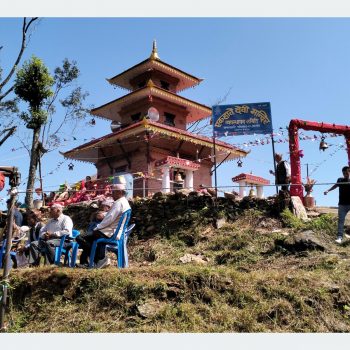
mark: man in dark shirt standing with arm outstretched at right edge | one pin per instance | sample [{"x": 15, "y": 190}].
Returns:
[{"x": 344, "y": 200}]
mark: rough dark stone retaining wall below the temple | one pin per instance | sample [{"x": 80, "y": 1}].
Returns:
[{"x": 165, "y": 213}]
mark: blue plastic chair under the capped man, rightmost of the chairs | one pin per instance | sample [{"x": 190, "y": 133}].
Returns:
[{"x": 116, "y": 240}]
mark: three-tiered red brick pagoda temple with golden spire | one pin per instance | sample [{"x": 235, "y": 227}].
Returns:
[{"x": 149, "y": 139}]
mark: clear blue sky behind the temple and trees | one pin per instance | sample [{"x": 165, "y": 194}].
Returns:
[{"x": 299, "y": 65}]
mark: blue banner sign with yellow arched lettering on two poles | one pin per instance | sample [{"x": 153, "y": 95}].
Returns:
[{"x": 242, "y": 119}]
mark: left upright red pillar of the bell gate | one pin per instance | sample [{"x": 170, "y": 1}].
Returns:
[{"x": 296, "y": 188}]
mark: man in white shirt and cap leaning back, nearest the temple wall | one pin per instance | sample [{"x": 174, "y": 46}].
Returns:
[{"x": 105, "y": 229}]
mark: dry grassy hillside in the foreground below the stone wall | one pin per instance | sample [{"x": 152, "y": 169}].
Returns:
[{"x": 255, "y": 274}]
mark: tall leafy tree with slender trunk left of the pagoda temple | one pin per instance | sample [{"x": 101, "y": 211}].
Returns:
[{"x": 42, "y": 92}]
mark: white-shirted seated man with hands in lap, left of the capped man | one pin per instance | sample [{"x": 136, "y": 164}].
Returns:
[{"x": 50, "y": 235}]
